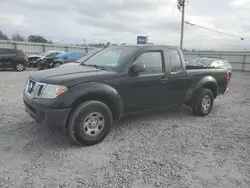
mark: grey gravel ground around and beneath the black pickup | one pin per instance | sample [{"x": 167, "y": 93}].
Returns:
[{"x": 169, "y": 148}]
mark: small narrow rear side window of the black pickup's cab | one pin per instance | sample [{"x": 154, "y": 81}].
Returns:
[{"x": 174, "y": 60}]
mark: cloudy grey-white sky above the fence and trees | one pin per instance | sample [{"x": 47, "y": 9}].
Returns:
[{"x": 120, "y": 21}]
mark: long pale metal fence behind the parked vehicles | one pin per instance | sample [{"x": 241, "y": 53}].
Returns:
[{"x": 240, "y": 60}]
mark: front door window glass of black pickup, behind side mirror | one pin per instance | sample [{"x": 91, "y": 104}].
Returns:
[{"x": 152, "y": 61}]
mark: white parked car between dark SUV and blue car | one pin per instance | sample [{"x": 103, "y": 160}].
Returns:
[{"x": 35, "y": 59}]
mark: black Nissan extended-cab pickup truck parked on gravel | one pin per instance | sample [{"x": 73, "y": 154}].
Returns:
[{"x": 84, "y": 99}]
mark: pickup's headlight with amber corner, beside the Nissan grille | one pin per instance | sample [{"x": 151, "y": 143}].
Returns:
[{"x": 52, "y": 91}]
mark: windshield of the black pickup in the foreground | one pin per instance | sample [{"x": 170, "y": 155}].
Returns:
[{"x": 111, "y": 57}]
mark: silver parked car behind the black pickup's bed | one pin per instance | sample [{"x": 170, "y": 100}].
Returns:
[{"x": 210, "y": 62}]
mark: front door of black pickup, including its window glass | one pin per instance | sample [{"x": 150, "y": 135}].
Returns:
[{"x": 147, "y": 89}]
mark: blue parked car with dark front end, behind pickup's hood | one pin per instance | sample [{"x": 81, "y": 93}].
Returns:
[{"x": 64, "y": 58}]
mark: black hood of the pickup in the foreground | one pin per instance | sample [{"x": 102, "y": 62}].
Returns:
[{"x": 71, "y": 75}]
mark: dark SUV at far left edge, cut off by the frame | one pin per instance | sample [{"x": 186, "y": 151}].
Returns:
[{"x": 13, "y": 59}]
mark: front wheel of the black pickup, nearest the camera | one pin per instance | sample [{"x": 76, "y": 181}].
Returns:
[{"x": 83, "y": 129}]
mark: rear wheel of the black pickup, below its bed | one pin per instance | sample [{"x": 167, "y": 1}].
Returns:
[{"x": 203, "y": 102}]
